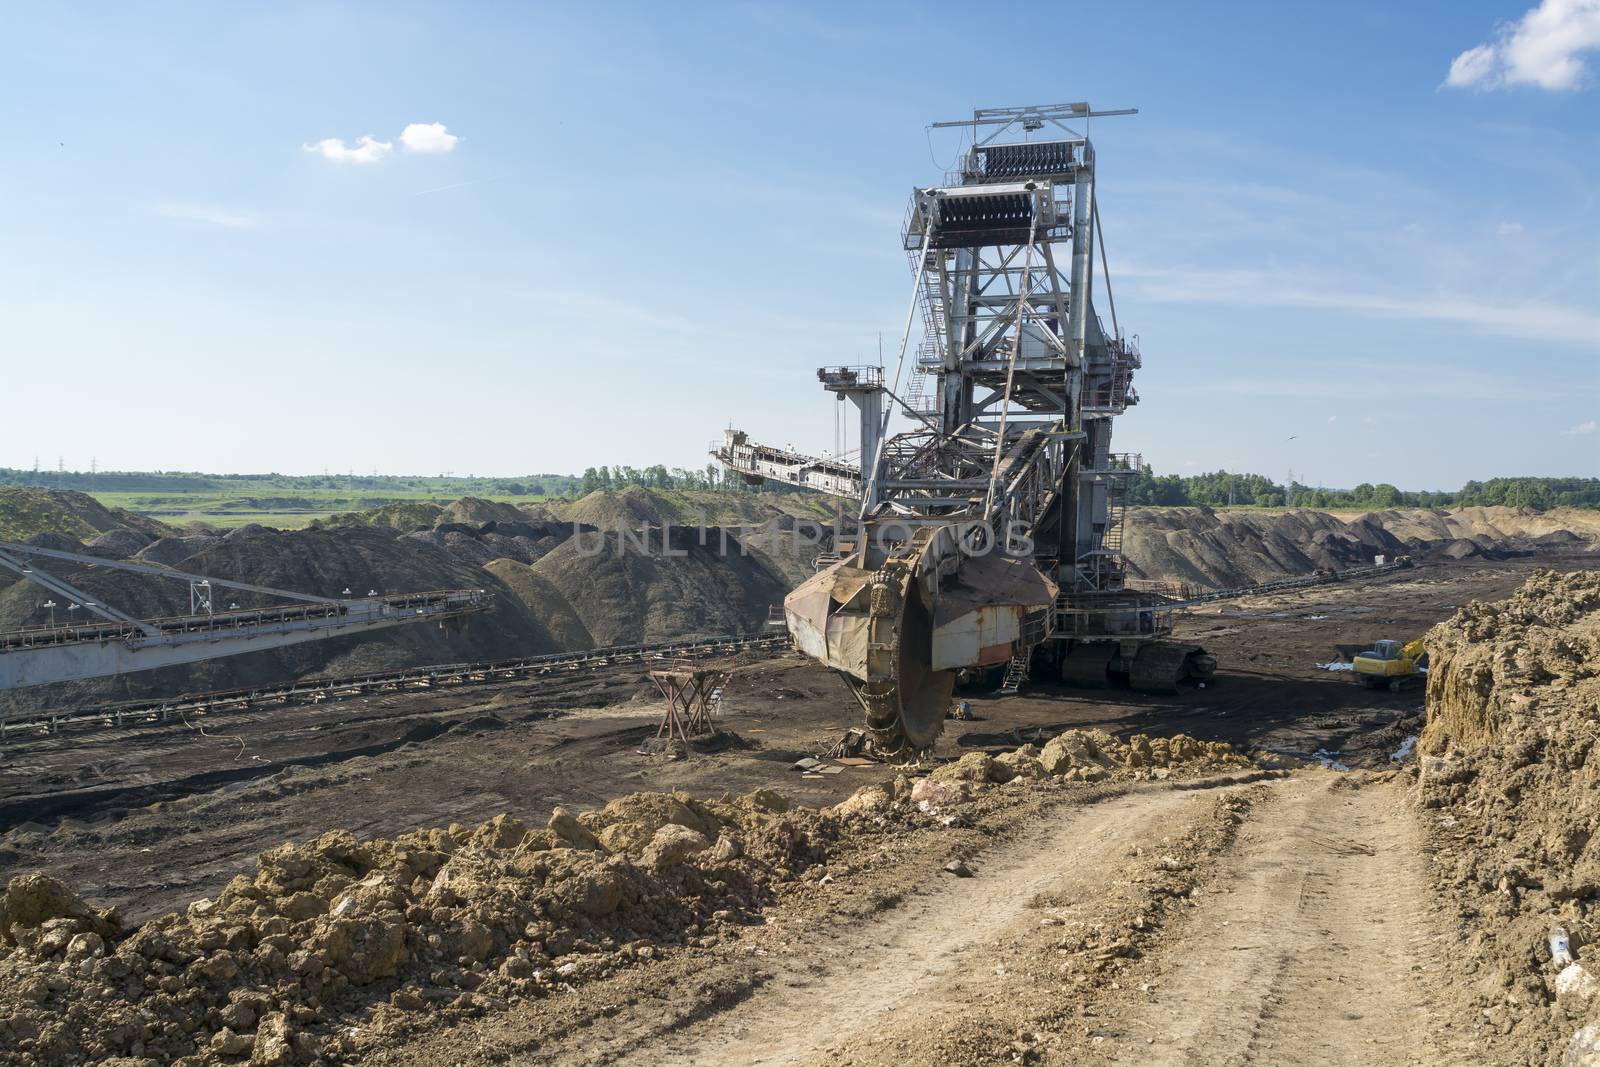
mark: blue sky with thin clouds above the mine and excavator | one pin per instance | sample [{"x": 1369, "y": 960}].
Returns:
[{"x": 663, "y": 218}]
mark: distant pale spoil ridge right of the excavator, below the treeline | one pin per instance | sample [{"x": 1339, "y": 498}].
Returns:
[{"x": 1230, "y": 549}]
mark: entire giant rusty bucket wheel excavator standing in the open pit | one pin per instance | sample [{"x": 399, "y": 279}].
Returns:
[{"x": 988, "y": 537}]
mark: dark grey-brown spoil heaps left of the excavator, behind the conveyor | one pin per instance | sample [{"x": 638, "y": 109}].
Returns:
[{"x": 559, "y": 585}]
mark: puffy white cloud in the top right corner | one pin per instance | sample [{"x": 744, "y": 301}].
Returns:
[{"x": 1545, "y": 49}]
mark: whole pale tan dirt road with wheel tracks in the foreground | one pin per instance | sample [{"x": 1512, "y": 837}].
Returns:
[{"x": 1305, "y": 937}]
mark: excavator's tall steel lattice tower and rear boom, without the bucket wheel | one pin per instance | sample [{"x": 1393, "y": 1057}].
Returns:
[{"x": 1015, "y": 378}]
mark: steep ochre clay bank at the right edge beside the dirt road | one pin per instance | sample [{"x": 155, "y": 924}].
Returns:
[{"x": 1511, "y": 772}]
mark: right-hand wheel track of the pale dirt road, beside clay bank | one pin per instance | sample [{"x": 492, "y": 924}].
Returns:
[{"x": 1319, "y": 951}]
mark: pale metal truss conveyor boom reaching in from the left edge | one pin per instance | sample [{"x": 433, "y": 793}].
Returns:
[{"x": 124, "y": 644}]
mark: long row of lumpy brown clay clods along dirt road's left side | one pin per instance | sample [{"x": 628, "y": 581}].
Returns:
[{"x": 340, "y": 941}]
